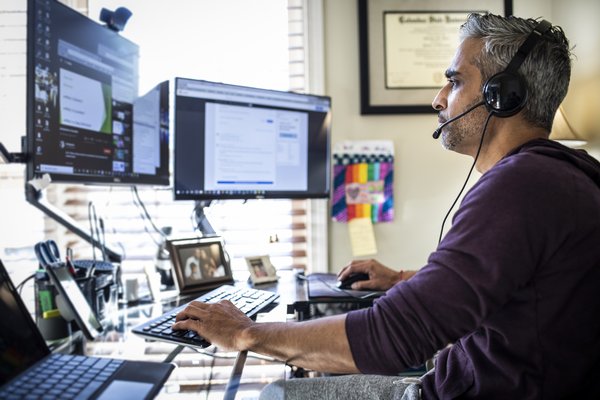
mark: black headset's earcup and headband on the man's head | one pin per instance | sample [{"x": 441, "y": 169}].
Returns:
[{"x": 505, "y": 93}]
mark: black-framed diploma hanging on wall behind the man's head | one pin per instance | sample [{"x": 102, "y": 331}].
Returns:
[{"x": 405, "y": 47}]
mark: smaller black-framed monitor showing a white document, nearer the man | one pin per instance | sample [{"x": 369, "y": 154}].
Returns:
[{"x": 236, "y": 142}]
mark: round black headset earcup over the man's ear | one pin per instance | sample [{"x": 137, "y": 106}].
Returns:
[{"x": 505, "y": 94}]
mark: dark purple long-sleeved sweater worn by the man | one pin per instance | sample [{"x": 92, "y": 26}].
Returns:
[{"x": 514, "y": 285}]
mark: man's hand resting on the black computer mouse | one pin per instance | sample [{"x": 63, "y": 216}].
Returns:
[{"x": 380, "y": 276}]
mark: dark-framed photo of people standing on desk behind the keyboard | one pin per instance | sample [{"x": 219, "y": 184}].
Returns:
[{"x": 199, "y": 264}]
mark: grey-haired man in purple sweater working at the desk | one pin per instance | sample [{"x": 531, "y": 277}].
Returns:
[{"x": 511, "y": 296}]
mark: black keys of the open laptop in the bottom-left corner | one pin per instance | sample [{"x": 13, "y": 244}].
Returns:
[{"x": 61, "y": 376}]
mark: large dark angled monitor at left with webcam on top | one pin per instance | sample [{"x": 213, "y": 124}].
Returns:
[{"x": 85, "y": 121}]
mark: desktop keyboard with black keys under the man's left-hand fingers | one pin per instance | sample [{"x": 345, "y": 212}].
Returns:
[{"x": 249, "y": 301}]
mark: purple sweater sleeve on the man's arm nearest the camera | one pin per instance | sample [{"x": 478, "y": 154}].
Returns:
[{"x": 485, "y": 256}]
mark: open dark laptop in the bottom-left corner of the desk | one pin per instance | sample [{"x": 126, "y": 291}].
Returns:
[{"x": 28, "y": 368}]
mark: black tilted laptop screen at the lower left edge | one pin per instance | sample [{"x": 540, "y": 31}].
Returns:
[{"x": 21, "y": 344}]
